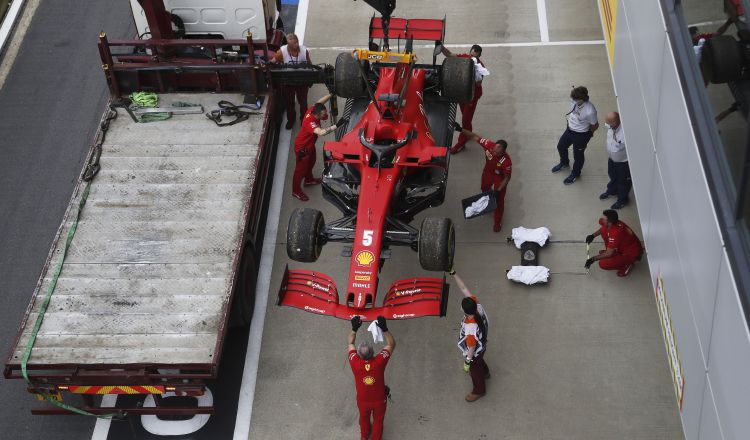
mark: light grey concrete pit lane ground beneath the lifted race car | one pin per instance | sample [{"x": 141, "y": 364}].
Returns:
[{"x": 579, "y": 358}]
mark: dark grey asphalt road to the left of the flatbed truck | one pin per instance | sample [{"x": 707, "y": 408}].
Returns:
[{"x": 51, "y": 104}]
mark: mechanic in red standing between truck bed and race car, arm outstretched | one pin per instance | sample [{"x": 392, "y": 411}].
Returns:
[{"x": 304, "y": 146}]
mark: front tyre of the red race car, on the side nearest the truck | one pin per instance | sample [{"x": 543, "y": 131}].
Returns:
[{"x": 304, "y": 236}]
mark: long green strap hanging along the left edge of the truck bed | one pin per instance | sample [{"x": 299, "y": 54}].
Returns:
[{"x": 45, "y": 305}]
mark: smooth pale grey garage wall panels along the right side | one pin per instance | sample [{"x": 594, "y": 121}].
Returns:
[{"x": 680, "y": 228}]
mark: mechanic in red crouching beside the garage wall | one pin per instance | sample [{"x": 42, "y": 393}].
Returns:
[{"x": 622, "y": 247}]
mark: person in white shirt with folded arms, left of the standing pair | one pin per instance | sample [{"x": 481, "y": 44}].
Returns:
[{"x": 582, "y": 123}]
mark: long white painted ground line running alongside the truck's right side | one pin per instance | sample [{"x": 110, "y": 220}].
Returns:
[{"x": 252, "y": 356}]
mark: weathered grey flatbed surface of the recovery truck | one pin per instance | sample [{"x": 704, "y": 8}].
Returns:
[{"x": 149, "y": 274}]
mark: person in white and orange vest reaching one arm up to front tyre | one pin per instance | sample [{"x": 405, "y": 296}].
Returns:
[{"x": 472, "y": 340}]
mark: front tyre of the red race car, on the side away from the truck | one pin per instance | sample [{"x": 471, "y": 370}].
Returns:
[{"x": 437, "y": 244}]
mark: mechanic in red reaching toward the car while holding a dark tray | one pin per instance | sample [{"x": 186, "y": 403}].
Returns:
[{"x": 497, "y": 170}]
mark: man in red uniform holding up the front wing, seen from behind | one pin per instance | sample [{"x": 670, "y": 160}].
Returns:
[{"x": 369, "y": 378}]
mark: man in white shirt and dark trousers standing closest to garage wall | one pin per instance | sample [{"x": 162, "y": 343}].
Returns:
[{"x": 617, "y": 165}]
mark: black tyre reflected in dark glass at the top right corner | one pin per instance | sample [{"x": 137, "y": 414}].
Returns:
[{"x": 721, "y": 59}]
